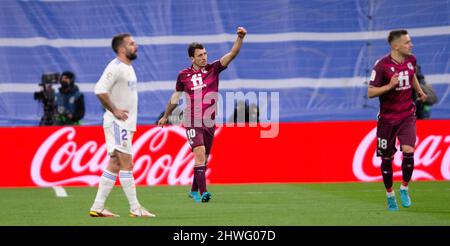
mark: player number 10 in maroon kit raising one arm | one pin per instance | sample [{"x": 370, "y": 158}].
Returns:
[{"x": 200, "y": 84}]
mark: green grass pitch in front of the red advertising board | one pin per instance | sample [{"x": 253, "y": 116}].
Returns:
[{"x": 234, "y": 205}]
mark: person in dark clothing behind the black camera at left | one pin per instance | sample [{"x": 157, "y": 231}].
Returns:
[{"x": 69, "y": 101}]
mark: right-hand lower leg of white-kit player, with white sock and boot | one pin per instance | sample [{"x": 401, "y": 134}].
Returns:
[{"x": 129, "y": 186}]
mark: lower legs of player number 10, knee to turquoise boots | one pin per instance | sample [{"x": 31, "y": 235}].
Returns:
[{"x": 199, "y": 174}]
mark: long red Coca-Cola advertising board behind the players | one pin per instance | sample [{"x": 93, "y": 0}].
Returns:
[{"x": 299, "y": 152}]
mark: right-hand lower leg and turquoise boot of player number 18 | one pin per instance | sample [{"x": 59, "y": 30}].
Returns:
[{"x": 407, "y": 170}]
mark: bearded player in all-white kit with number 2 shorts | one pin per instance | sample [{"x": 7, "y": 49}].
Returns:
[{"x": 117, "y": 92}]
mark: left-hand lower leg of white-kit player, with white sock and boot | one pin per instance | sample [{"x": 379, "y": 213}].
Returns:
[{"x": 106, "y": 184}]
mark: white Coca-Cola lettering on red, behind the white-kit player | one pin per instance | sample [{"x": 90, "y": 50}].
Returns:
[{"x": 62, "y": 160}]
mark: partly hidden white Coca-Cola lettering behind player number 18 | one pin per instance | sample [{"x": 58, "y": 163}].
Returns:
[{"x": 428, "y": 152}]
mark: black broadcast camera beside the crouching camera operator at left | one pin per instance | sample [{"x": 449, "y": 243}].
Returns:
[{"x": 47, "y": 96}]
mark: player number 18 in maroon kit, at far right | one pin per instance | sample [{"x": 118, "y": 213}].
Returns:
[{"x": 392, "y": 80}]
